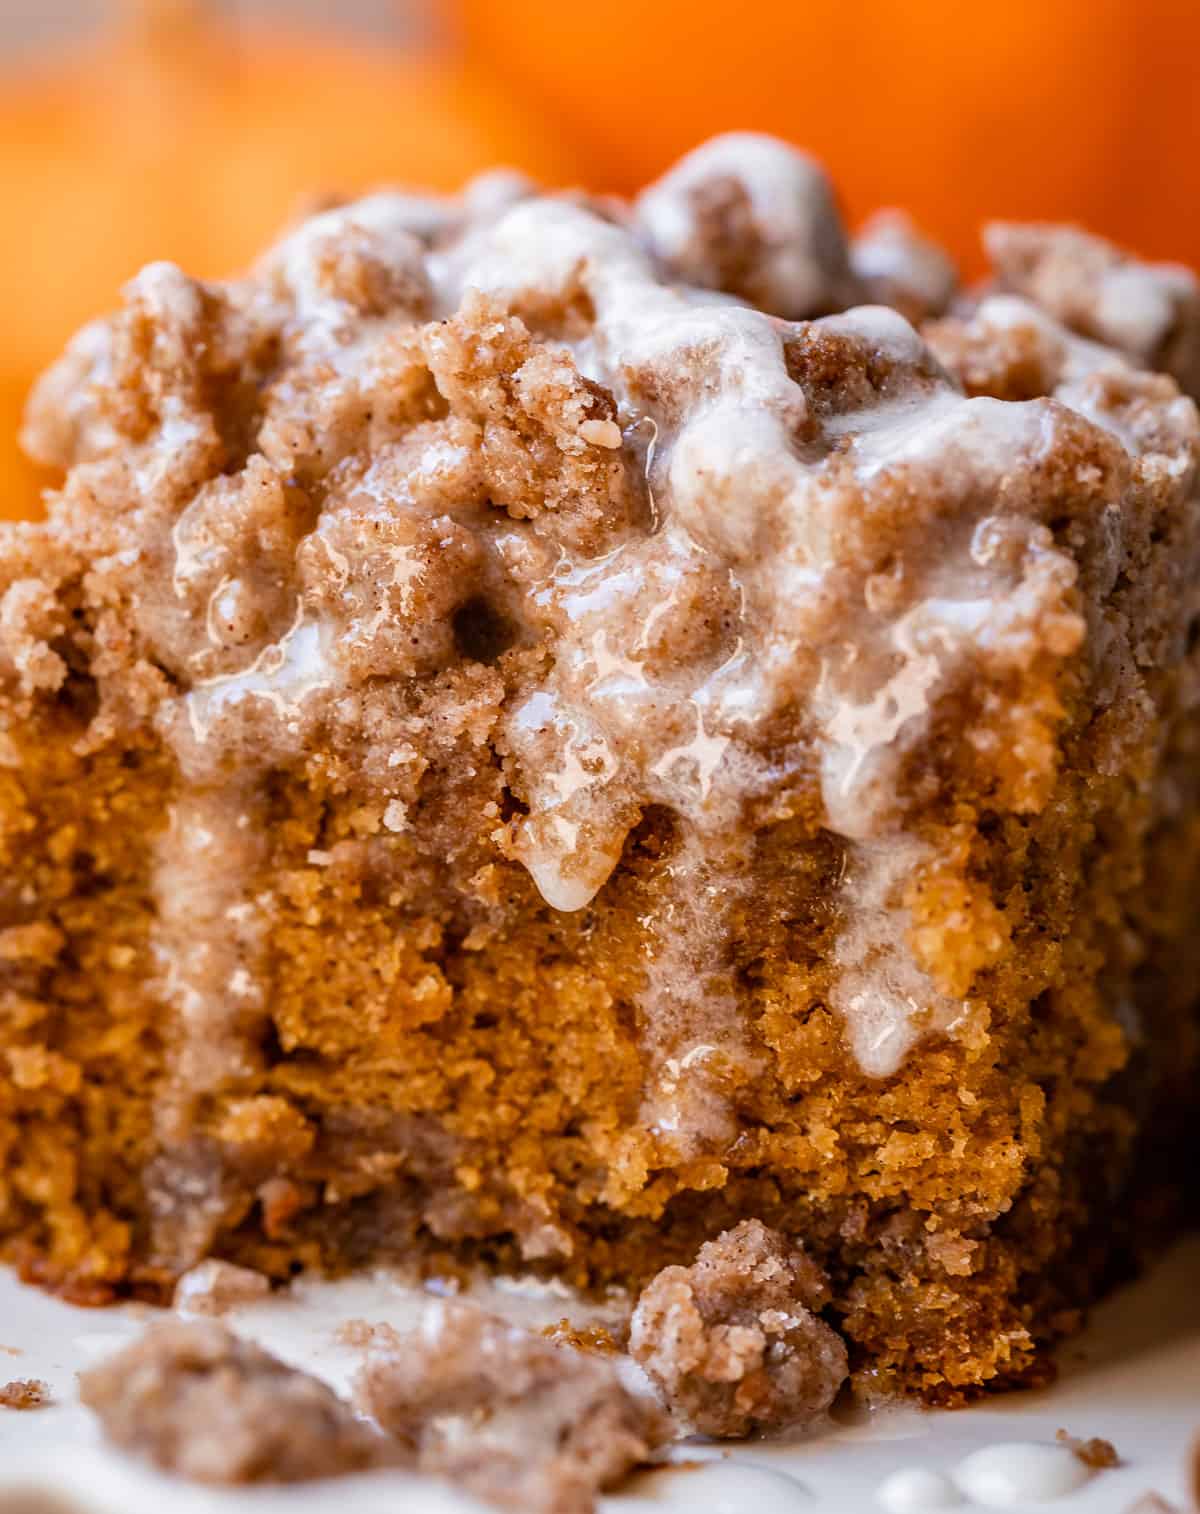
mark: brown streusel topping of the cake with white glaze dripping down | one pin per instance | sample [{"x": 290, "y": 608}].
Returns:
[{"x": 530, "y": 472}]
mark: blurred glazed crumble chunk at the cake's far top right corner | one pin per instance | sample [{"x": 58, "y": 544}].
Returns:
[{"x": 1148, "y": 311}]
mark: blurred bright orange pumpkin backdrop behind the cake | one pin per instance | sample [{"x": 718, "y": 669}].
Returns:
[{"x": 181, "y": 136}]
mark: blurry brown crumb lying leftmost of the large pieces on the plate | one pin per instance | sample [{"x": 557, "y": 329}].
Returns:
[{"x": 197, "y": 1401}]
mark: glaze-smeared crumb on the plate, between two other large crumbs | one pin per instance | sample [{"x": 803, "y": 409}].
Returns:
[{"x": 506, "y": 1415}]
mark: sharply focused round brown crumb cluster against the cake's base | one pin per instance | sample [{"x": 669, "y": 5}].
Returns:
[{"x": 733, "y": 1341}]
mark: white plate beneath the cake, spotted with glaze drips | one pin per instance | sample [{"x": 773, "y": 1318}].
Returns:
[{"x": 1134, "y": 1380}]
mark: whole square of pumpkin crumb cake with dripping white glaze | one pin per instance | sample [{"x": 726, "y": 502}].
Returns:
[{"x": 541, "y": 729}]
